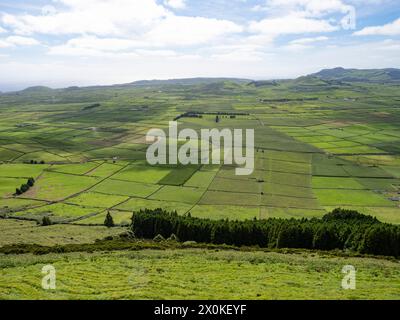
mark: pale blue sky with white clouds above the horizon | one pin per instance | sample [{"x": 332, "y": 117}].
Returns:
[{"x": 61, "y": 43}]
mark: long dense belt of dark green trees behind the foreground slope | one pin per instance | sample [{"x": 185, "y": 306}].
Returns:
[{"x": 341, "y": 229}]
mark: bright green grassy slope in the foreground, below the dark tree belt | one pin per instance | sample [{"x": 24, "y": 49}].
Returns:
[{"x": 197, "y": 274}]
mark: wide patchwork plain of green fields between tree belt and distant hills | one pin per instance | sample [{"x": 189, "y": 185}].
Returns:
[{"x": 317, "y": 147}]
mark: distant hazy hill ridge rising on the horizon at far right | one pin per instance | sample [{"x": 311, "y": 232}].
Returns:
[{"x": 359, "y": 75}]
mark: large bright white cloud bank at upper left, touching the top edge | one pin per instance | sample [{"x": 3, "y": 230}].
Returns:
[{"x": 112, "y": 25}]
